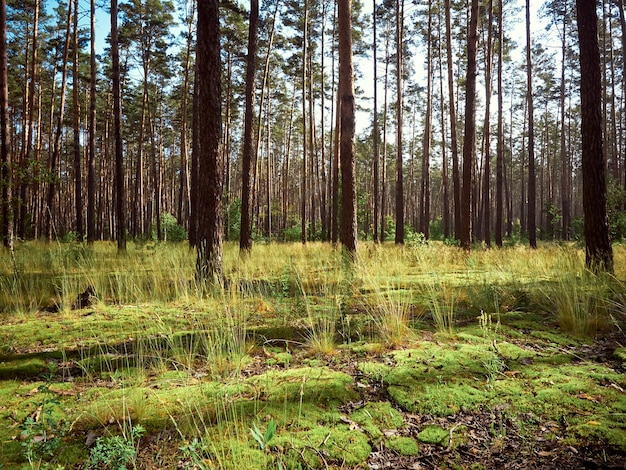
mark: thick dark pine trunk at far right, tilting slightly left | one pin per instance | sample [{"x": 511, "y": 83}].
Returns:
[{"x": 599, "y": 253}]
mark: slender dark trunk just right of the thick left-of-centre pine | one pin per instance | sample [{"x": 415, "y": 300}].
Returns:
[{"x": 249, "y": 150}]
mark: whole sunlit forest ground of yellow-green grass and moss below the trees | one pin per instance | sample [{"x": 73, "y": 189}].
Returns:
[{"x": 421, "y": 356}]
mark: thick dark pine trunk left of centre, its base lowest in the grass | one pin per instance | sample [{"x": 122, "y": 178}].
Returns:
[{"x": 208, "y": 138}]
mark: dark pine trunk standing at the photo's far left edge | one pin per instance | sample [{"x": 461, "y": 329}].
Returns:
[{"x": 5, "y": 156}]
